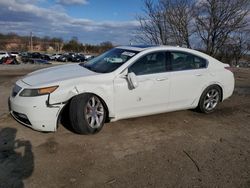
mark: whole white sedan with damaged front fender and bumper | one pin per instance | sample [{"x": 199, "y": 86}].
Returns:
[{"x": 124, "y": 82}]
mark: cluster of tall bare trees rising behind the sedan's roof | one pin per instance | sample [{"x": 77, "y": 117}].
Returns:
[{"x": 220, "y": 28}]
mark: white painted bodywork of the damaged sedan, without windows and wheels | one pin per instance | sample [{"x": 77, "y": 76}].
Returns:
[{"x": 156, "y": 93}]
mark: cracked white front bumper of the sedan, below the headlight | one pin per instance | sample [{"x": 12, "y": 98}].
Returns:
[{"x": 34, "y": 112}]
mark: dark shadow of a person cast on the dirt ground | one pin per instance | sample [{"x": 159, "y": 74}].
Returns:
[{"x": 16, "y": 159}]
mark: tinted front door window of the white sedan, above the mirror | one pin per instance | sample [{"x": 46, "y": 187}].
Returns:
[{"x": 150, "y": 64}]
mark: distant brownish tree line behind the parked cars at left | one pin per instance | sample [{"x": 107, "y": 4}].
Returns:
[{"x": 14, "y": 42}]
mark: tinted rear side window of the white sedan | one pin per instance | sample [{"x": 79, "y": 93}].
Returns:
[{"x": 186, "y": 61}]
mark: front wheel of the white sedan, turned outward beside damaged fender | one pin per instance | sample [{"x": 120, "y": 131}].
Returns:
[{"x": 87, "y": 114}]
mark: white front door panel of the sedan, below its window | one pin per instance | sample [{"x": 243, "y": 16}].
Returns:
[{"x": 150, "y": 96}]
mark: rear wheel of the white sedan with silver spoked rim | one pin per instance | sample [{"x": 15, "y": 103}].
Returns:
[{"x": 210, "y": 99}]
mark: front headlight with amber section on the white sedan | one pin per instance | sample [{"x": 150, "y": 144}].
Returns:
[{"x": 37, "y": 92}]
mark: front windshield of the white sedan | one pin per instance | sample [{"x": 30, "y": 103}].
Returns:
[{"x": 109, "y": 61}]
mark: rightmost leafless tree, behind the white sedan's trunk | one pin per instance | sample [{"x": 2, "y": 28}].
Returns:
[{"x": 217, "y": 19}]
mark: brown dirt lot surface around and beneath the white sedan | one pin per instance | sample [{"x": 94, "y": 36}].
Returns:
[{"x": 178, "y": 149}]
